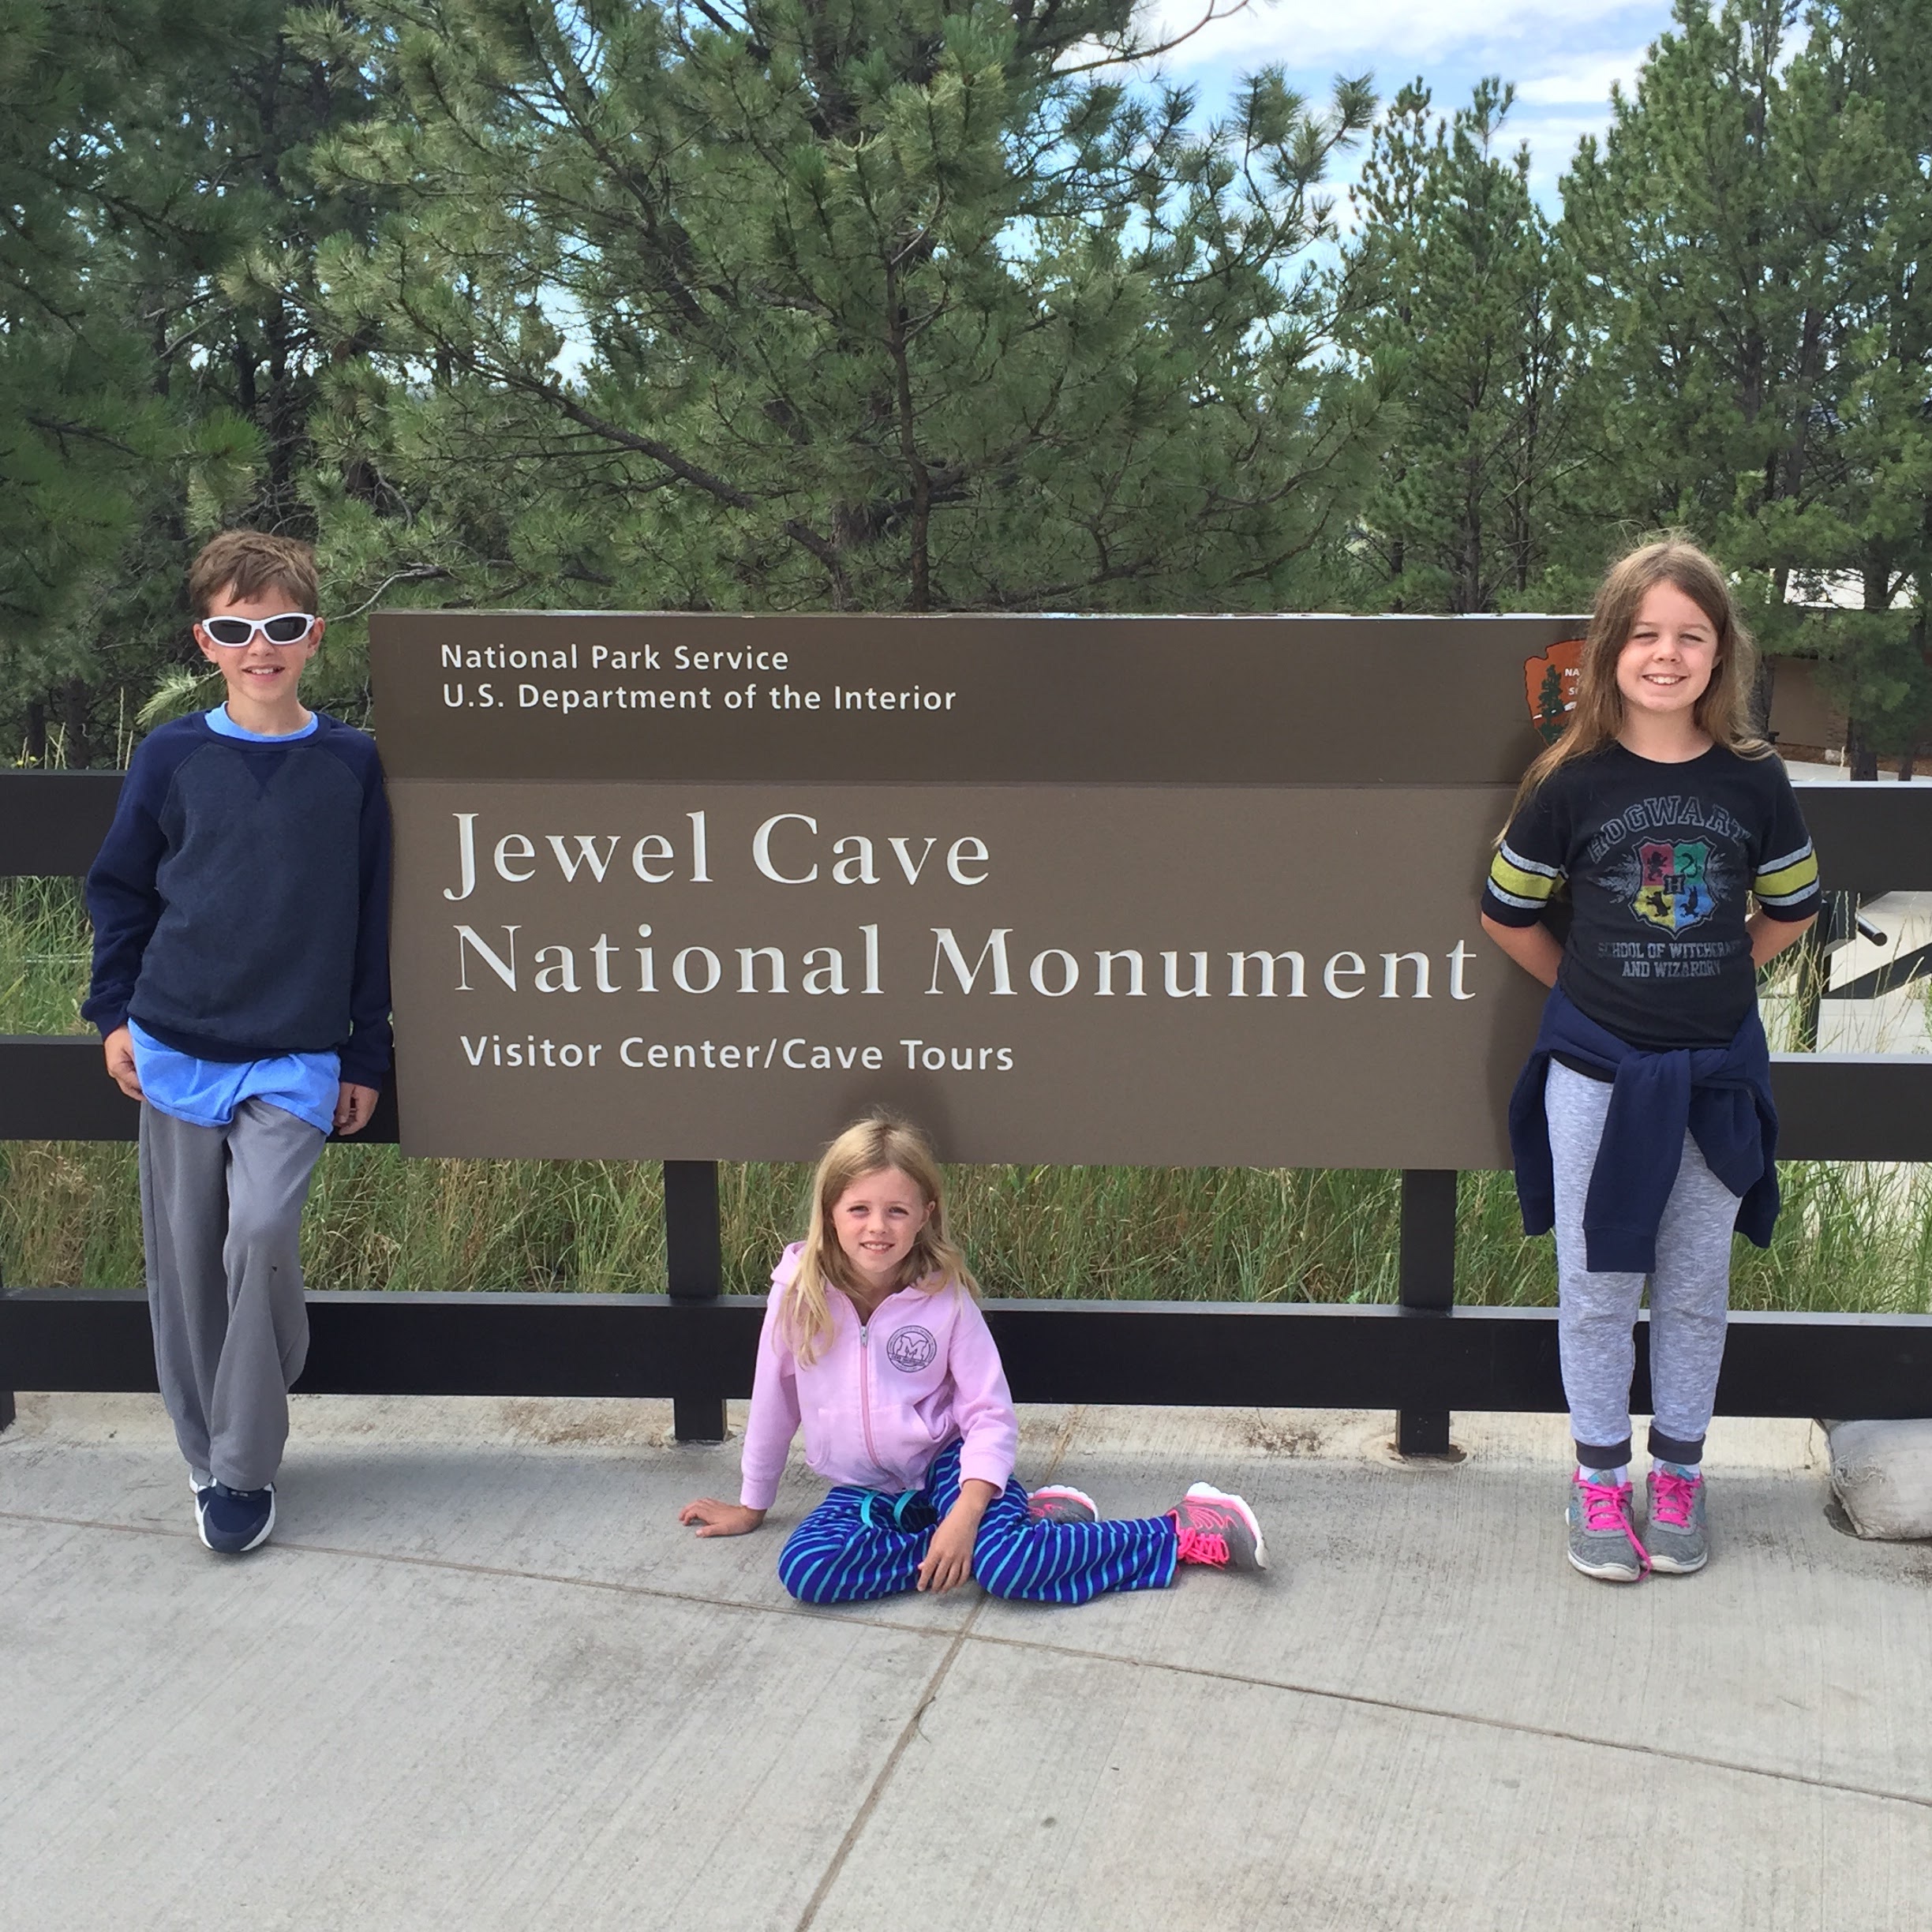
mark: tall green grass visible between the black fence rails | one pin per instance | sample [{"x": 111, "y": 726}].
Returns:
[{"x": 1852, "y": 1237}]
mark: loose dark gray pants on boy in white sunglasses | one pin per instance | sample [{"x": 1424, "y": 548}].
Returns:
[{"x": 221, "y": 1214}]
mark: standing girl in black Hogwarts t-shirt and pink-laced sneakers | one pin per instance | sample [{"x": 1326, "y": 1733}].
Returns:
[{"x": 1643, "y": 1125}]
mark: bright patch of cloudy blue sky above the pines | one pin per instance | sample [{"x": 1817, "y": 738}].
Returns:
[{"x": 1564, "y": 55}]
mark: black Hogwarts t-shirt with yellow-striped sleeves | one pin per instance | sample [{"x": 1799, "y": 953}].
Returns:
[{"x": 1661, "y": 865}]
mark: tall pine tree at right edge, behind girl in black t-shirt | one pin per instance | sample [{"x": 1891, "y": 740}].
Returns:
[{"x": 1751, "y": 233}]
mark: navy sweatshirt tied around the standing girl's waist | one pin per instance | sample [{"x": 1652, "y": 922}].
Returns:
[{"x": 1720, "y": 1094}]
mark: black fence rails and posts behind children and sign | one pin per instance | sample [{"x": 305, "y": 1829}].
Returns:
[{"x": 1423, "y": 1359}]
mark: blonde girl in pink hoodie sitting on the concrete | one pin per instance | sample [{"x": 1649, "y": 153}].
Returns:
[{"x": 874, "y": 1342}]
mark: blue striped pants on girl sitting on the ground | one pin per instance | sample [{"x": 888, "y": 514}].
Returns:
[{"x": 859, "y": 1547}]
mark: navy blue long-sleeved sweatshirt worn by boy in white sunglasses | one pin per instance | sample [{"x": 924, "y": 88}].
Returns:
[{"x": 241, "y": 899}]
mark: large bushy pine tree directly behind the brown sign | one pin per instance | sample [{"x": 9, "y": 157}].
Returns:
[{"x": 895, "y": 306}]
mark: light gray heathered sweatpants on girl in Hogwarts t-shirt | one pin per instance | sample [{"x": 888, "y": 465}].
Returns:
[{"x": 1690, "y": 1293}]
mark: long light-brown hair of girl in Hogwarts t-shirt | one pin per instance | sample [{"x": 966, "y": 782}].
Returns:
[{"x": 1722, "y": 710}]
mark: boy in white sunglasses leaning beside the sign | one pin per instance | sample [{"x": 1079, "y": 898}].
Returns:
[{"x": 241, "y": 982}]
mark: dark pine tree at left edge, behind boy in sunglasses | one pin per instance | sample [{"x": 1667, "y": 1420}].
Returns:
[{"x": 148, "y": 391}]
